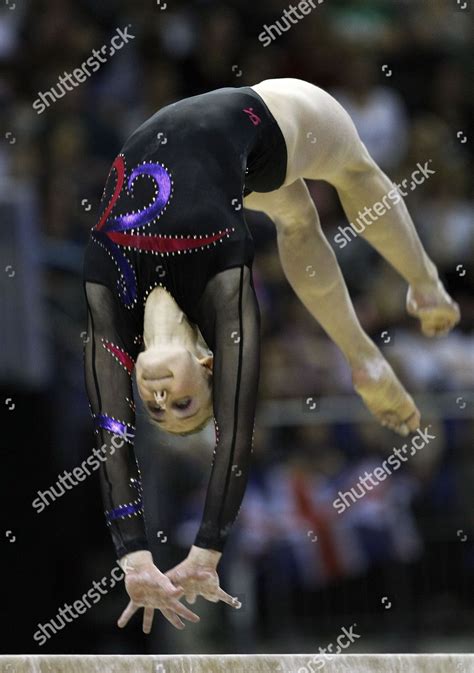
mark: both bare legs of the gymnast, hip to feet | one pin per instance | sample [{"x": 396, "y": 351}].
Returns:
[{"x": 339, "y": 157}]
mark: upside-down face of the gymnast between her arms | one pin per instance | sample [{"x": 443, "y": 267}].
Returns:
[{"x": 175, "y": 387}]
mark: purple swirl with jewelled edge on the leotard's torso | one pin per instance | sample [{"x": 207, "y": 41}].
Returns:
[{"x": 139, "y": 219}]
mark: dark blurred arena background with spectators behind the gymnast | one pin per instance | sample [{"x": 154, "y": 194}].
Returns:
[{"x": 399, "y": 563}]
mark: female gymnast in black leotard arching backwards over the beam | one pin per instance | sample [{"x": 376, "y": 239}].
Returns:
[{"x": 168, "y": 283}]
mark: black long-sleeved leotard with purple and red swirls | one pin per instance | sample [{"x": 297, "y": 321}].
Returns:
[{"x": 172, "y": 216}]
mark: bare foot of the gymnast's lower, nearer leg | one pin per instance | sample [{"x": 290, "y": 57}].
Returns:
[{"x": 384, "y": 395}]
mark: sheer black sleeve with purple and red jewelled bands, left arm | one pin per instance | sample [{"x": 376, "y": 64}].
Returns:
[{"x": 109, "y": 359}]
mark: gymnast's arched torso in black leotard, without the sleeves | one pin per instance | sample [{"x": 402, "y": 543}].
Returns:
[{"x": 172, "y": 210}]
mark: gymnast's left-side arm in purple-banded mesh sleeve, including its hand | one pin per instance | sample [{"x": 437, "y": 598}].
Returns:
[{"x": 109, "y": 358}]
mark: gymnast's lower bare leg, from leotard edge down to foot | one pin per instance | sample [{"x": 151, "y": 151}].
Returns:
[{"x": 311, "y": 268}]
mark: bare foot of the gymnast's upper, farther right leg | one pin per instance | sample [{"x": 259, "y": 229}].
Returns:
[{"x": 435, "y": 309}]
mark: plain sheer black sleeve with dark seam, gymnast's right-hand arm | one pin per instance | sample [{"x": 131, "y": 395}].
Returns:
[{"x": 230, "y": 323}]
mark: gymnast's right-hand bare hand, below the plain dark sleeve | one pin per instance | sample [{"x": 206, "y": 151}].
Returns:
[{"x": 197, "y": 575}]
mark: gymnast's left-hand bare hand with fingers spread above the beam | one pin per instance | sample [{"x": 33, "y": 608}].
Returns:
[{"x": 150, "y": 589}]
